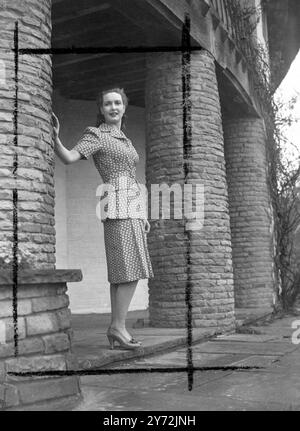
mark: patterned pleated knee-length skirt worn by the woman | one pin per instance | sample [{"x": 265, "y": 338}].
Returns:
[{"x": 126, "y": 248}]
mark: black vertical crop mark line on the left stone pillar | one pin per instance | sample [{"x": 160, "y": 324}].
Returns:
[{"x": 15, "y": 195}]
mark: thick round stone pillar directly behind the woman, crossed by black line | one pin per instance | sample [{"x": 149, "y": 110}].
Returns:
[{"x": 201, "y": 257}]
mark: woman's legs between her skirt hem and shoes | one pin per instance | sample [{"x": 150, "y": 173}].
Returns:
[{"x": 123, "y": 296}]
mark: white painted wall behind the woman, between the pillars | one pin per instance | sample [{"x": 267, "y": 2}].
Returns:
[{"x": 80, "y": 240}]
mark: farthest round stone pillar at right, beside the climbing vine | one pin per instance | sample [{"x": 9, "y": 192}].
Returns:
[{"x": 250, "y": 212}]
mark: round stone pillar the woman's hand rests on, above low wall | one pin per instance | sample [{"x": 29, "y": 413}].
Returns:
[{"x": 35, "y": 180}]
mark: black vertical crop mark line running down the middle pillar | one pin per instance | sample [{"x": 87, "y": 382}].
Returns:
[{"x": 187, "y": 135}]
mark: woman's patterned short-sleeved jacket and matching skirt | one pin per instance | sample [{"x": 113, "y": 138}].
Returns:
[{"x": 123, "y": 215}]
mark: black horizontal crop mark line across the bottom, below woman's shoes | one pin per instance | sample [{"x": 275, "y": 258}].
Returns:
[{"x": 149, "y": 370}]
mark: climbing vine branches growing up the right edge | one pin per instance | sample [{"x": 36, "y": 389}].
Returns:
[{"x": 282, "y": 177}]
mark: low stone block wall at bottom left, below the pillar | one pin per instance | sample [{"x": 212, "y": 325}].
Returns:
[{"x": 44, "y": 342}]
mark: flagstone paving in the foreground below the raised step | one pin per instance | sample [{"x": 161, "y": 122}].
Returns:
[{"x": 276, "y": 389}]
